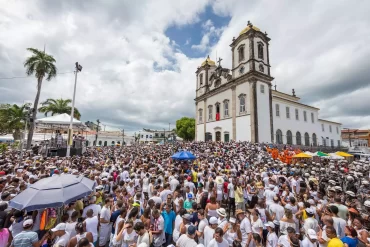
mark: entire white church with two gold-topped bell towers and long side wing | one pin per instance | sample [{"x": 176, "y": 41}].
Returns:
[{"x": 241, "y": 104}]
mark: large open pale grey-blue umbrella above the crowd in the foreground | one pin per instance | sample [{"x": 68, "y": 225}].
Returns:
[{"x": 54, "y": 191}]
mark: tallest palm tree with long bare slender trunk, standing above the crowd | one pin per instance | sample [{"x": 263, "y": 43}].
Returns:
[{"x": 41, "y": 65}]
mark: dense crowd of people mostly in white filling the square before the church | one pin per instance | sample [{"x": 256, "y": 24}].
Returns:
[{"x": 234, "y": 194}]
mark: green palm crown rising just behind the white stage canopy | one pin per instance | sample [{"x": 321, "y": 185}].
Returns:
[{"x": 58, "y": 106}]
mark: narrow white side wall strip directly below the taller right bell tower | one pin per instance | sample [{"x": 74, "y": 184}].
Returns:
[{"x": 263, "y": 109}]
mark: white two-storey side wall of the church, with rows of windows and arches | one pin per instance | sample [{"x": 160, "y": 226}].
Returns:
[{"x": 284, "y": 124}]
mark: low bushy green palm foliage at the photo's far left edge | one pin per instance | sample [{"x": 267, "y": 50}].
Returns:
[{"x": 12, "y": 120}]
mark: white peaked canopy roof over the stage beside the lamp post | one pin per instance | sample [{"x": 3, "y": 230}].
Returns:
[{"x": 59, "y": 121}]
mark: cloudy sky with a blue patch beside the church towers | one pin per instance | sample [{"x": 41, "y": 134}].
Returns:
[{"x": 139, "y": 57}]
